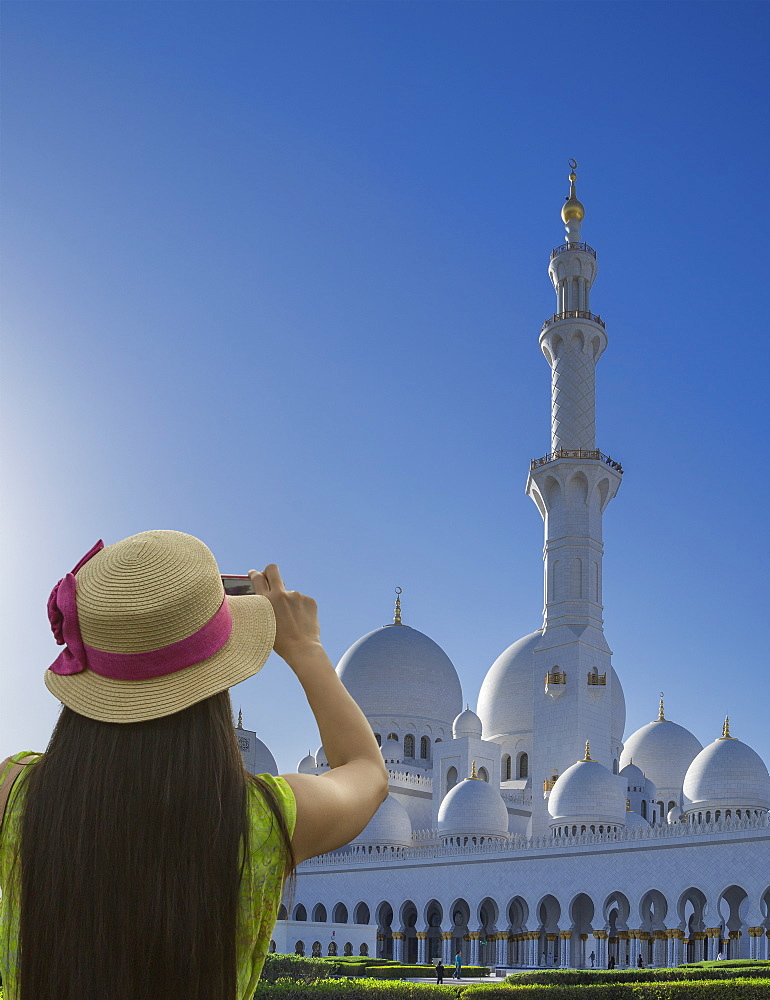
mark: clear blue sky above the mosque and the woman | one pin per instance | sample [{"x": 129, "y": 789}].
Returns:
[{"x": 274, "y": 274}]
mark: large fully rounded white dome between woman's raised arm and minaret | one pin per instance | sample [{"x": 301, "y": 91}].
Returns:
[{"x": 397, "y": 671}]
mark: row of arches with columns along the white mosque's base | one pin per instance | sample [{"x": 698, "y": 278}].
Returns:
[{"x": 659, "y": 929}]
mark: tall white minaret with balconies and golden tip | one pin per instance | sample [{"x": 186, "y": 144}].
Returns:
[{"x": 572, "y": 486}]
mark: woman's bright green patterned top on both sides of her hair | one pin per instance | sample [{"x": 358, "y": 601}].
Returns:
[{"x": 261, "y": 887}]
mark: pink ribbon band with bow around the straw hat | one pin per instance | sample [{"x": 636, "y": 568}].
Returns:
[{"x": 77, "y": 656}]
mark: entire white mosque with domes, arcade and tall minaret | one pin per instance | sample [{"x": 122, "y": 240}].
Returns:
[{"x": 528, "y": 833}]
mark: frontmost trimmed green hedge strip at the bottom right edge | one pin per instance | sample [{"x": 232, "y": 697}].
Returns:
[{"x": 735, "y": 989}]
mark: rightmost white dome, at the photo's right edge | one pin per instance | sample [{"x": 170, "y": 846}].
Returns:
[{"x": 727, "y": 773}]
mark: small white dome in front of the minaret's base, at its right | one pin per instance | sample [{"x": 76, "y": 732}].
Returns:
[{"x": 588, "y": 793}]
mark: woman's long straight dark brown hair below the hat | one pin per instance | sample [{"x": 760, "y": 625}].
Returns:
[{"x": 132, "y": 842}]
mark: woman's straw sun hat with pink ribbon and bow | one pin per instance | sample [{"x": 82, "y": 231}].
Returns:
[{"x": 149, "y": 631}]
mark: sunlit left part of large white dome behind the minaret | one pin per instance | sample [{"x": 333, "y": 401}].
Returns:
[{"x": 506, "y": 697}]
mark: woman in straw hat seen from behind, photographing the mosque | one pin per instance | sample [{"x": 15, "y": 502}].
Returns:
[{"x": 163, "y": 861}]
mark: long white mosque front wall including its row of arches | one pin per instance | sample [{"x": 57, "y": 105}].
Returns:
[{"x": 669, "y": 901}]
